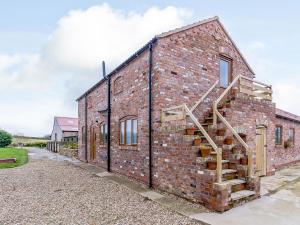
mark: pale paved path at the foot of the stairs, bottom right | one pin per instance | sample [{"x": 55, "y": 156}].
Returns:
[{"x": 279, "y": 204}]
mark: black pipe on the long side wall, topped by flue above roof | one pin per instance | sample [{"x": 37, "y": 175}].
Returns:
[{"x": 108, "y": 116}]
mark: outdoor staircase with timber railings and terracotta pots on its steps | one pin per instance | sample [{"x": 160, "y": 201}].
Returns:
[{"x": 219, "y": 145}]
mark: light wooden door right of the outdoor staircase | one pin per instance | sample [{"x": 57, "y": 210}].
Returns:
[{"x": 261, "y": 165}]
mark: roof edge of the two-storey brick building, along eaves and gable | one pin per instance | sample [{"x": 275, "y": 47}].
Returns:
[{"x": 165, "y": 34}]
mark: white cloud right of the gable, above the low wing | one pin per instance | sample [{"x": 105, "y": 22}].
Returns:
[{"x": 280, "y": 74}]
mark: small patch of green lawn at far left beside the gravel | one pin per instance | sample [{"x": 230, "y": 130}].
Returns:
[{"x": 20, "y": 154}]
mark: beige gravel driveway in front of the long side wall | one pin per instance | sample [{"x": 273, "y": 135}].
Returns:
[{"x": 55, "y": 192}]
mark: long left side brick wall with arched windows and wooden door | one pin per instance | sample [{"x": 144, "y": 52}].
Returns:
[{"x": 129, "y": 98}]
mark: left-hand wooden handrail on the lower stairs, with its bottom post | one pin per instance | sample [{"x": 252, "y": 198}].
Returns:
[{"x": 210, "y": 141}]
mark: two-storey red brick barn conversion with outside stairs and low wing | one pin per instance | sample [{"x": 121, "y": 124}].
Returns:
[{"x": 184, "y": 115}]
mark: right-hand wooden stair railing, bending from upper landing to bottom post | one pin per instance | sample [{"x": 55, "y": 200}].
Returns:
[{"x": 217, "y": 114}]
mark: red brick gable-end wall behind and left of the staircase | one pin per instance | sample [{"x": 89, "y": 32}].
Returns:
[{"x": 187, "y": 66}]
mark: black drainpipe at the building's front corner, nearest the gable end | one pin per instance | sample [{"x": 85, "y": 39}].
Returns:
[{"x": 150, "y": 113}]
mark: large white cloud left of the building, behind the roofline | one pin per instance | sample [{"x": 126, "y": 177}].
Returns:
[{"x": 36, "y": 87}]
